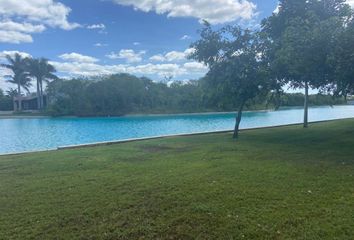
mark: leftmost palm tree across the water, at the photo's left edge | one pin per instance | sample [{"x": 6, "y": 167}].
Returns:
[{"x": 20, "y": 77}]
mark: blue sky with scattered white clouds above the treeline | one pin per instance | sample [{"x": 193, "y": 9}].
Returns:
[{"x": 141, "y": 37}]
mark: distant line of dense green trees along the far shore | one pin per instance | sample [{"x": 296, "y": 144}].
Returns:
[{"x": 123, "y": 94}]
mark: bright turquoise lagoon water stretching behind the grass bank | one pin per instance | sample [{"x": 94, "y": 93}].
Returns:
[{"x": 18, "y": 135}]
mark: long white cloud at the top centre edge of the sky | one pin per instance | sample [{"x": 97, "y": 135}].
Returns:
[{"x": 214, "y": 11}]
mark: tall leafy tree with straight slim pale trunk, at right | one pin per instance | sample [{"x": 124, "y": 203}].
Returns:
[{"x": 302, "y": 35}]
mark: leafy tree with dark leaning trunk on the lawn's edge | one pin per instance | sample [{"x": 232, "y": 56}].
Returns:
[{"x": 236, "y": 69}]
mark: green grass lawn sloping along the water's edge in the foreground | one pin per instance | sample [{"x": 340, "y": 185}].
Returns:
[{"x": 282, "y": 183}]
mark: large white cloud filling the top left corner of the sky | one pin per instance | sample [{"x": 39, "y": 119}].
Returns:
[{"x": 20, "y": 18}]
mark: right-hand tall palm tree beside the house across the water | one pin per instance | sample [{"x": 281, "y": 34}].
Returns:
[{"x": 43, "y": 72}]
